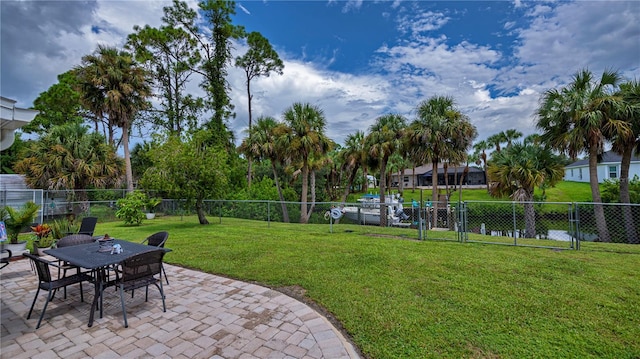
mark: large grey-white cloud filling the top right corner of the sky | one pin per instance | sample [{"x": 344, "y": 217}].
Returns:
[{"x": 594, "y": 34}]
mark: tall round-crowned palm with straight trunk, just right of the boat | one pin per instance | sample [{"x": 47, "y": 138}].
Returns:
[{"x": 441, "y": 133}]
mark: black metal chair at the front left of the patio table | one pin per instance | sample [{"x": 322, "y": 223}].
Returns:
[{"x": 45, "y": 282}]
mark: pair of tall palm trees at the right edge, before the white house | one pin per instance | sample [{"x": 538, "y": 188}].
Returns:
[{"x": 586, "y": 114}]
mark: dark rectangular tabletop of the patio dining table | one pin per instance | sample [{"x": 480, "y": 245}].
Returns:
[{"x": 87, "y": 255}]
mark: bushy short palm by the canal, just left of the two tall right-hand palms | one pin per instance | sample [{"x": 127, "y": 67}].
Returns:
[{"x": 517, "y": 170}]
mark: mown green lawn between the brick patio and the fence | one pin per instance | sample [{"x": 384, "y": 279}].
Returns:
[{"x": 402, "y": 298}]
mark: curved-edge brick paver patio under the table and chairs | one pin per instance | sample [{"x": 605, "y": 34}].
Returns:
[{"x": 207, "y": 317}]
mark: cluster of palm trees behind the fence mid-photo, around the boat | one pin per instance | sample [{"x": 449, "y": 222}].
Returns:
[{"x": 439, "y": 133}]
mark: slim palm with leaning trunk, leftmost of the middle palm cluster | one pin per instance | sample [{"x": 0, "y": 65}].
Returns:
[{"x": 262, "y": 144}]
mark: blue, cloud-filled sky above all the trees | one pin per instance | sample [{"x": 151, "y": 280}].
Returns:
[{"x": 356, "y": 60}]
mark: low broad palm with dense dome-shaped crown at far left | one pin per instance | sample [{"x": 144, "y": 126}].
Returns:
[{"x": 68, "y": 157}]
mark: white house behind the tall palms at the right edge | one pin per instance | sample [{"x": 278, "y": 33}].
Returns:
[{"x": 609, "y": 167}]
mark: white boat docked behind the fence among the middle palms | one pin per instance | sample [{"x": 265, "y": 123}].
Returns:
[{"x": 368, "y": 210}]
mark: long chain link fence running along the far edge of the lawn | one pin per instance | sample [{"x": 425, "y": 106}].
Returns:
[{"x": 563, "y": 225}]
